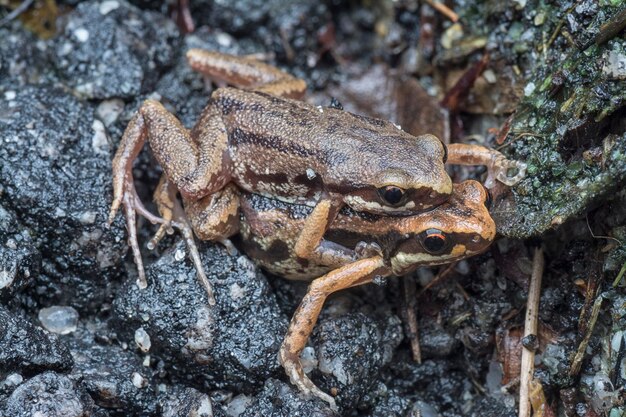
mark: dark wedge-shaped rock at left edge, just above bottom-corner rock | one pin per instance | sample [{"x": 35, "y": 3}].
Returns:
[{"x": 27, "y": 349}]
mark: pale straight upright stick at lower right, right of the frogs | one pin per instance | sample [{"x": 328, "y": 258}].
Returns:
[{"x": 530, "y": 328}]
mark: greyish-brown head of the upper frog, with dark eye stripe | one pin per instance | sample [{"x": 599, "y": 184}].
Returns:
[{"x": 413, "y": 180}]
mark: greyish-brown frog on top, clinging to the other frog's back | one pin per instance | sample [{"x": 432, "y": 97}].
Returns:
[{"x": 262, "y": 137}]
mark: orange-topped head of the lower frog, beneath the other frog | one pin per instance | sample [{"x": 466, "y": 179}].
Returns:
[{"x": 459, "y": 228}]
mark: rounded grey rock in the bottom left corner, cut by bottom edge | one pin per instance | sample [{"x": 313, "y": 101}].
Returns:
[{"x": 50, "y": 395}]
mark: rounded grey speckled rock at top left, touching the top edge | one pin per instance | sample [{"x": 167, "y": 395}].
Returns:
[{"x": 110, "y": 48}]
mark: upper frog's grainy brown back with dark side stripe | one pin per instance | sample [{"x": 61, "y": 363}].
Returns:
[{"x": 285, "y": 147}]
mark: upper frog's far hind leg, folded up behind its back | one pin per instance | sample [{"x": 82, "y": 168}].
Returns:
[{"x": 245, "y": 72}]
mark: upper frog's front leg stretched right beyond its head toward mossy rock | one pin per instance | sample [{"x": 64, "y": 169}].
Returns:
[{"x": 499, "y": 167}]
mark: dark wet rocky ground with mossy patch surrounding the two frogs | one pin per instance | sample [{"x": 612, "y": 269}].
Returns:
[{"x": 69, "y": 85}]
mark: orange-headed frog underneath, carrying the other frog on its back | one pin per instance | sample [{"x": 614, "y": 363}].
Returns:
[{"x": 269, "y": 230}]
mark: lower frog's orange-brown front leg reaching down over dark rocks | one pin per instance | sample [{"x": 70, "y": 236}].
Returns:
[{"x": 305, "y": 317}]
